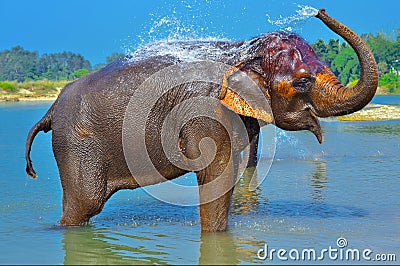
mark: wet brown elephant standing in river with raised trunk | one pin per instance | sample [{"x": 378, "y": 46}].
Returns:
[{"x": 87, "y": 118}]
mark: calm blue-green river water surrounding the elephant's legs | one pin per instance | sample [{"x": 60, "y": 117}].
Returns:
[{"x": 314, "y": 194}]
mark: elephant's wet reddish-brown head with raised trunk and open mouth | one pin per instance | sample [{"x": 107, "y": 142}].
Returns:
[{"x": 298, "y": 85}]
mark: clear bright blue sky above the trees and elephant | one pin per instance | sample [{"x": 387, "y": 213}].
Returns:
[{"x": 98, "y": 28}]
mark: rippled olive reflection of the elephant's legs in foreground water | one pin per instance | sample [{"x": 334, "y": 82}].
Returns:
[{"x": 90, "y": 245}]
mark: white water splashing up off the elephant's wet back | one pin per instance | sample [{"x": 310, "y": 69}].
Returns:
[{"x": 181, "y": 33}]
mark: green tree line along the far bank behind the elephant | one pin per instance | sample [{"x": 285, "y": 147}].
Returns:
[{"x": 21, "y": 65}]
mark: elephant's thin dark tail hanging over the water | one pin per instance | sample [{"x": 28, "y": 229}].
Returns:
[{"x": 43, "y": 125}]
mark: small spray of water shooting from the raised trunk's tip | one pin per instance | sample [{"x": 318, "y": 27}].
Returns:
[{"x": 286, "y": 24}]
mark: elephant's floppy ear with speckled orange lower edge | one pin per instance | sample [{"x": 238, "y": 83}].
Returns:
[{"x": 243, "y": 91}]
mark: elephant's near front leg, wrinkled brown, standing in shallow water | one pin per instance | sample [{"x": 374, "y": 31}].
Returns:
[{"x": 209, "y": 151}]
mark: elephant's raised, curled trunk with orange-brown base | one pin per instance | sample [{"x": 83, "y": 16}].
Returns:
[{"x": 330, "y": 97}]
